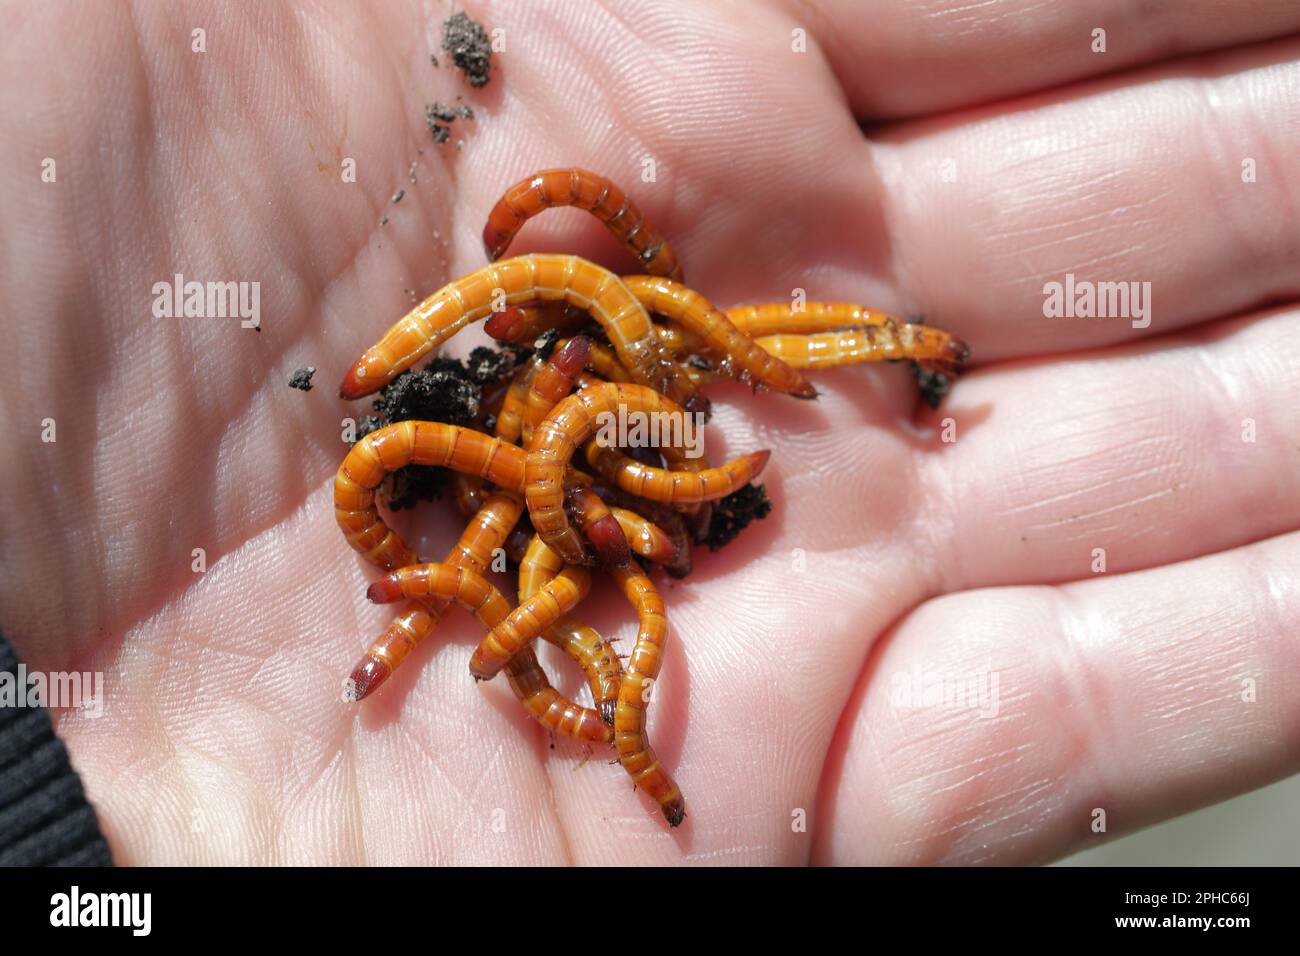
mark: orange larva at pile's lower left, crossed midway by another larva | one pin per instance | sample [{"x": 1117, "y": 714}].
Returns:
[{"x": 473, "y": 592}]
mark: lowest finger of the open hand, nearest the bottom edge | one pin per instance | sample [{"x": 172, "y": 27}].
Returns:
[{"x": 1113, "y": 703}]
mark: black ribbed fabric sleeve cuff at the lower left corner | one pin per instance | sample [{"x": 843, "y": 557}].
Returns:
[{"x": 45, "y": 817}]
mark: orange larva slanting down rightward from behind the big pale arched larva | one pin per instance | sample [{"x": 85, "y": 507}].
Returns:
[{"x": 717, "y": 332}]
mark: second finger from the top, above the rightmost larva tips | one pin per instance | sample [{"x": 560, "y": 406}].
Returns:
[{"x": 1173, "y": 187}]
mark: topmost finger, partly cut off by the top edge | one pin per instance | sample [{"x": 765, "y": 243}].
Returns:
[{"x": 903, "y": 58}]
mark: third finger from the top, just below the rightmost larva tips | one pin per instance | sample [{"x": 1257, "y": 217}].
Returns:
[{"x": 1119, "y": 461}]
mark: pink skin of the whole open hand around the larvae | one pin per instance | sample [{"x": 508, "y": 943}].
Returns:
[{"x": 890, "y": 552}]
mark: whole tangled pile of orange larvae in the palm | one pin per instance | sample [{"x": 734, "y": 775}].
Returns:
[{"x": 540, "y": 474}]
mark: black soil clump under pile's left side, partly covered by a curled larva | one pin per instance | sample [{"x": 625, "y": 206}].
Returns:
[{"x": 445, "y": 391}]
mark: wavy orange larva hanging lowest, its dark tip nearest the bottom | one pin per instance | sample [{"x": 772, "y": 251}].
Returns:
[{"x": 630, "y": 716}]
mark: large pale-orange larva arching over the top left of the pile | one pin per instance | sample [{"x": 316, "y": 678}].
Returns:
[{"x": 551, "y": 278}]
